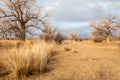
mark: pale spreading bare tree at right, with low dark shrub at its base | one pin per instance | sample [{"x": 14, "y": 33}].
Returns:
[{"x": 105, "y": 26}]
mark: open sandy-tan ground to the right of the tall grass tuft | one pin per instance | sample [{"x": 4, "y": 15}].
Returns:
[{"x": 84, "y": 61}]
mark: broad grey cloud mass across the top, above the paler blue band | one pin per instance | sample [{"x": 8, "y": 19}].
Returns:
[{"x": 81, "y": 10}]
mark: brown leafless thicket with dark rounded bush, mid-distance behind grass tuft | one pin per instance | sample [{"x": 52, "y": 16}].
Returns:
[{"x": 52, "y": 33}]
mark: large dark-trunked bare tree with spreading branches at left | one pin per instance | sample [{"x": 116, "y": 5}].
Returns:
[{"x": 22, "y": 15}]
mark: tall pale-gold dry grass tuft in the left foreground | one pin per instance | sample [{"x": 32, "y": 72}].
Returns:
[{"x": 27, "y": 60}]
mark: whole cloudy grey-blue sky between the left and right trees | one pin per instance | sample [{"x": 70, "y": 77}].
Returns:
[{"x": 74, "y": 15}]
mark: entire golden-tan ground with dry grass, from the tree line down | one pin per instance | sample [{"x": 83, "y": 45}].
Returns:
[{"x": 73, "y": 60}]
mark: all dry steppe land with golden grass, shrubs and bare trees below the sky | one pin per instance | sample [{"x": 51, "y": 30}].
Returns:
[{"x": 51, "y": 54}]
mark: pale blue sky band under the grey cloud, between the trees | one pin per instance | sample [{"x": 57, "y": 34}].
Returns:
[{"x": 81, "y": 27}]
